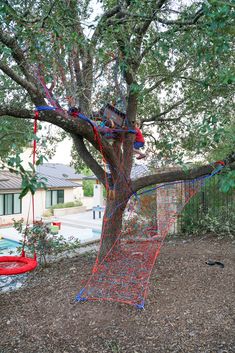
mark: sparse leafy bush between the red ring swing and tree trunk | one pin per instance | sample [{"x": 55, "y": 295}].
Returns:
[{"x": 39, "y": 238}]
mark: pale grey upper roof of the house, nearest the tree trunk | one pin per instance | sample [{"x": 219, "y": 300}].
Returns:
[{"x": 58, "y": 170}]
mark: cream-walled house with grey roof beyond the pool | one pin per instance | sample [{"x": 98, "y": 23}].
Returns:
[{"x": 59, "y": 190}]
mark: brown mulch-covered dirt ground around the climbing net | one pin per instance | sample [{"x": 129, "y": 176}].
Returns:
[{"x": 190, "y": 307}]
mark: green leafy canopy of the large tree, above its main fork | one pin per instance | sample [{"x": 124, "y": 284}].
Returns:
[{"x": 174, "y": 57}]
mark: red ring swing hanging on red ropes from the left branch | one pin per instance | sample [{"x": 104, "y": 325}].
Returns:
[{"x": 15, "y": 265}]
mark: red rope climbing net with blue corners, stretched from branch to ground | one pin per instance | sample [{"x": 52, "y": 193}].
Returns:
[{"x": 124, "y": 273}]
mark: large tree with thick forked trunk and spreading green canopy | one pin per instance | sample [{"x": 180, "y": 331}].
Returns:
[{"x": 51, "y": 50}]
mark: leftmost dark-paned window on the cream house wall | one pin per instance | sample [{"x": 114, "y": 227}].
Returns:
[{"x": 10, "y": 204}]
